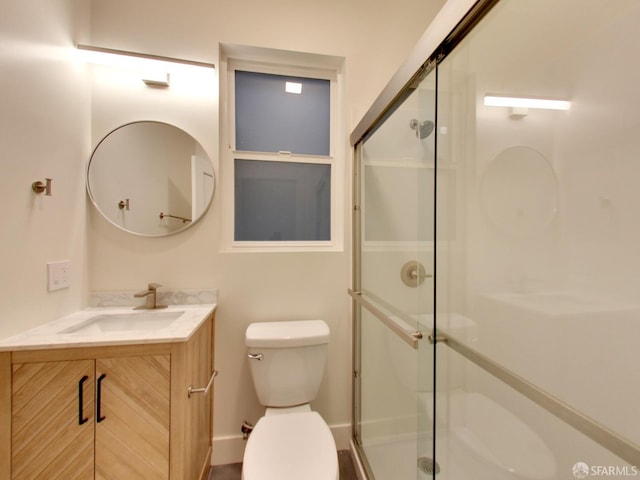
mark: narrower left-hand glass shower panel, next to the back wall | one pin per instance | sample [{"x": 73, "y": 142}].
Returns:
[{"x": 395, "y": 170}]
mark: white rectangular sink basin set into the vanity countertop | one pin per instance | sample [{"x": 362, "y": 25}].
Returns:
[{"x": 124, "y": 322}]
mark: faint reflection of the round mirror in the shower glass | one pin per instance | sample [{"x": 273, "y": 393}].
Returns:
[{"x": 519, "y": 191}]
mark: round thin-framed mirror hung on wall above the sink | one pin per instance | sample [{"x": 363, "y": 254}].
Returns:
[{"x": 150, "y": 178}]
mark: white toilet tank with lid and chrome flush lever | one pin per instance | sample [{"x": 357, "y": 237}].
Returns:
[{"x": 287, "y": 360}]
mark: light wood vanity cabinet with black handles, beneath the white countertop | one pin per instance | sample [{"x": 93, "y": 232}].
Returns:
[{"x": 108, "y": 412}]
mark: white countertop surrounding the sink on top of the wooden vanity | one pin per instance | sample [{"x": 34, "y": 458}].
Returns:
[{"x": 49, "y": 336}]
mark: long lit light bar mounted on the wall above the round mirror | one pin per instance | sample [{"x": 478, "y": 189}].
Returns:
[{"x": 156, "y": 68}]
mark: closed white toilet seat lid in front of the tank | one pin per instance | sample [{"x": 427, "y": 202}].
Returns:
[{"x": 290, "y": 447}]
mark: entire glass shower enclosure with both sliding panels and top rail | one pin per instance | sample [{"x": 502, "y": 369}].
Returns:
[{"x": 496, "y": 291}]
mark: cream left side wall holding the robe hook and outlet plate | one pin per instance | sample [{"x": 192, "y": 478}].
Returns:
[{"x": 44, "y": 132}]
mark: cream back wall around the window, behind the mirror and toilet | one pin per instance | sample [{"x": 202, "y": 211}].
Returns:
[{"x": 373, "y": 39}]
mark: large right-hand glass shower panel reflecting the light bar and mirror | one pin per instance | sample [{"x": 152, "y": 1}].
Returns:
[{"x": 537, "y": 291}]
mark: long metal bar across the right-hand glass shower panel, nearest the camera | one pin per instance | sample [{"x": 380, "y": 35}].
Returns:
[{"x": 584, "y": 424}]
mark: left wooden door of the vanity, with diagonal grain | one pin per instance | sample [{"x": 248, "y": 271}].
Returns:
[{"x": 52, "y": 430}]
